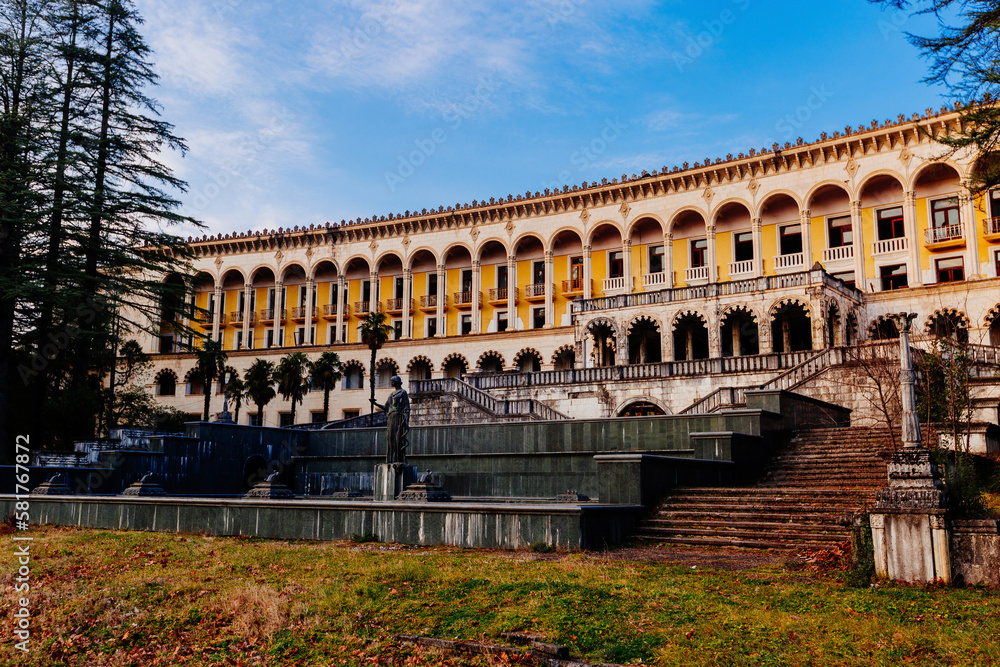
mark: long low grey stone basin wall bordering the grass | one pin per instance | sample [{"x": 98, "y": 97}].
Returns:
[{"x": 464, "y": 524}]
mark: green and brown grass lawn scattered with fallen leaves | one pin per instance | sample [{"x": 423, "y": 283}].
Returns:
[{"x": 130, "y": 598}]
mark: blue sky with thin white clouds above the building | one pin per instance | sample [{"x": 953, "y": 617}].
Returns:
[{"x": 324, "y": 110}]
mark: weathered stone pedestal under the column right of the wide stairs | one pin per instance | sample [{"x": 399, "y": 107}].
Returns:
[{"x": 908, "y": 521}]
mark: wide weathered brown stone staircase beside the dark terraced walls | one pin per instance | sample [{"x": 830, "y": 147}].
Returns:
[{"x": 823, "y": 477}]
